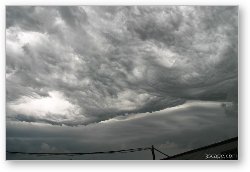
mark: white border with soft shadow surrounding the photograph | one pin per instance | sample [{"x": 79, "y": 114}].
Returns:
[{"x": 241, "y": 165}]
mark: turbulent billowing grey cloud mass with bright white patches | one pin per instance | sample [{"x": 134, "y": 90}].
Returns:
[{"x": 79, "y": 65}]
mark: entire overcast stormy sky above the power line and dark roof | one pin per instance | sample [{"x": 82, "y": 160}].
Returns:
[{"x": 90, "y": 78}]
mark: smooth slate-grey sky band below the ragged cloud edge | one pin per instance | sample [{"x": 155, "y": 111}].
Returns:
[{"x": 173, "y": 130}]
